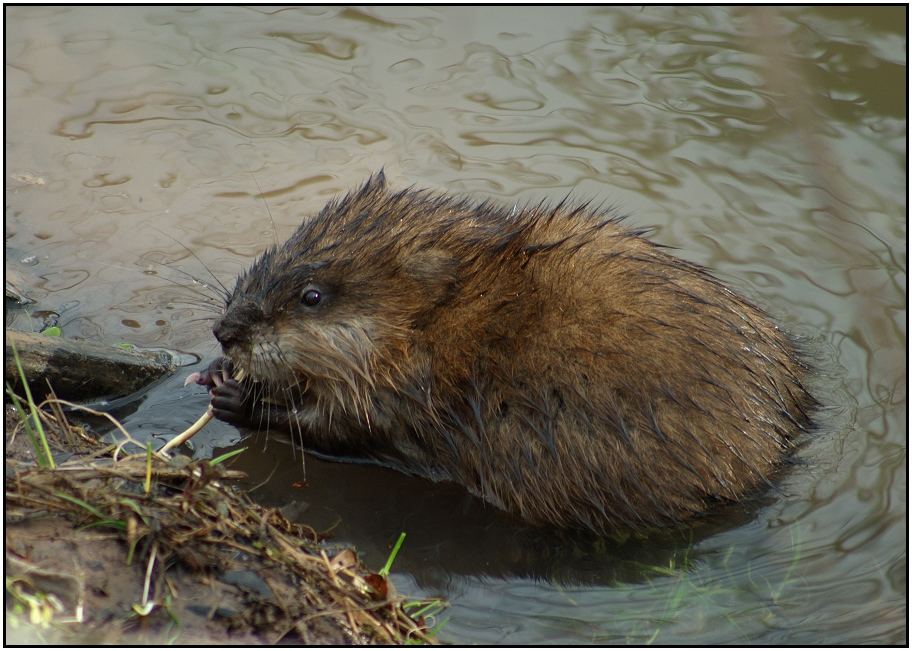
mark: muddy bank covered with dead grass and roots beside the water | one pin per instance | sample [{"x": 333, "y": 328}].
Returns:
[{"x": 109, "y": 547}]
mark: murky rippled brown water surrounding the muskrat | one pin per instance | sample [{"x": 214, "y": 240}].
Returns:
[{"x": 769, "y": 144}]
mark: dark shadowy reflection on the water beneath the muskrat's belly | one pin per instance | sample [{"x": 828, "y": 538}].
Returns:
[{"x": 453, "y": 534}]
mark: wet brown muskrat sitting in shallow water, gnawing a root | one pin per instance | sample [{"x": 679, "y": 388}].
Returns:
[{"x": 548, "y": 358}]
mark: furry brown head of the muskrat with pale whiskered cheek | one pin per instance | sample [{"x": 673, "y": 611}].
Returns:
[{"x": 333, "y": 310}]
